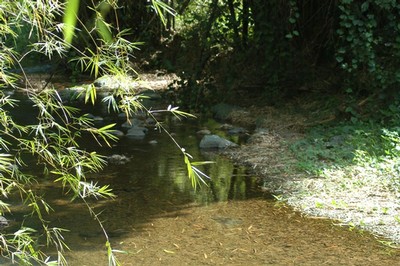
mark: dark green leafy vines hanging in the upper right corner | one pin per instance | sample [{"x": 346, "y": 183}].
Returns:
[{"x": 366, "y": 47}]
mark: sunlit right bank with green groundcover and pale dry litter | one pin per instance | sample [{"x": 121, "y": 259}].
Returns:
[{"x": 352, "y": 172}]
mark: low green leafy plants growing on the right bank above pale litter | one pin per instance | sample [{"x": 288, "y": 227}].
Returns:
[{"x": 369, "y": 145}]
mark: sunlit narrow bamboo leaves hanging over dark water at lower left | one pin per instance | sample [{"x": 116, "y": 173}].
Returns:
[{"x": 53, "y": 141}]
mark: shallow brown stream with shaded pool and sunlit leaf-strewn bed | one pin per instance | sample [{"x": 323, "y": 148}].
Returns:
[{"x": 158, "y": 218}]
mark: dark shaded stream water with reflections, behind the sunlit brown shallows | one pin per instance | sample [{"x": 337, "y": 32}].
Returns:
[{"x": 152, "y": 184}]
